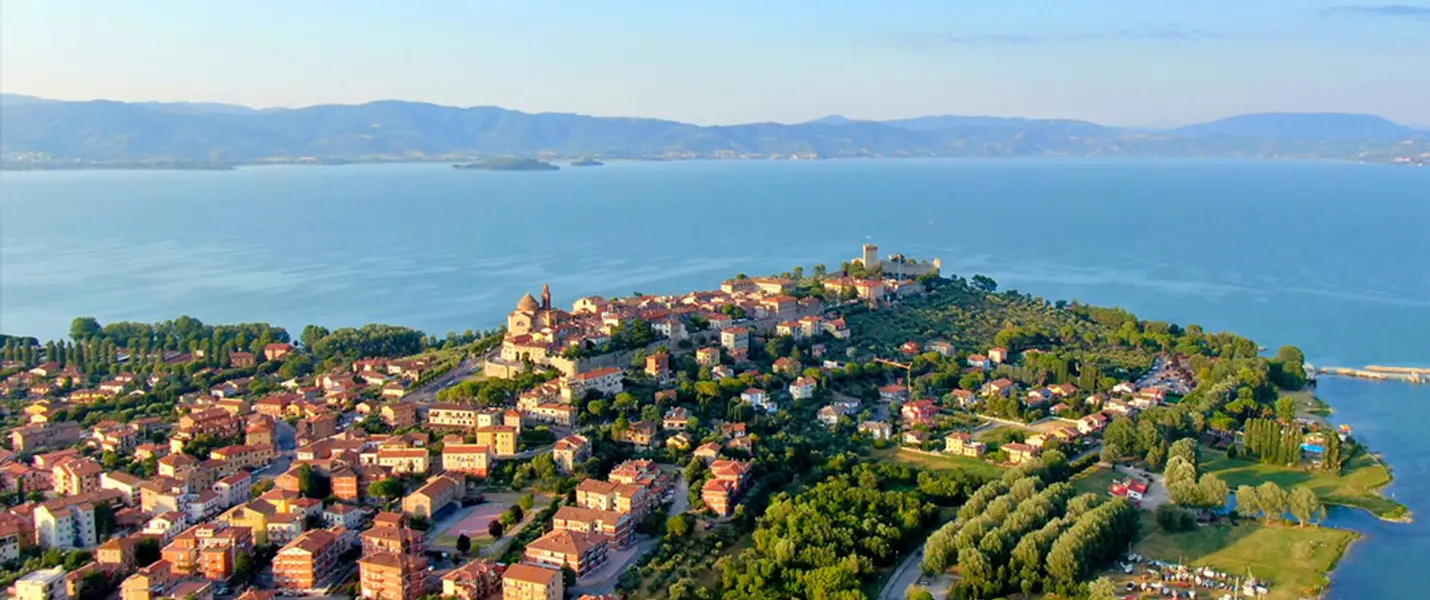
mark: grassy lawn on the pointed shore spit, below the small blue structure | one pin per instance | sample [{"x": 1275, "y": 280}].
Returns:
[{"x": 1358, "y": 485}]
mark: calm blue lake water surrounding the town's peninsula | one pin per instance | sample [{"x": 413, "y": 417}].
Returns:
[{"x": 1331, "y": 256}]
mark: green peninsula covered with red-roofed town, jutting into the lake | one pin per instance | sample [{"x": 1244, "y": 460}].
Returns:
[{"x": 877, "y": 429}]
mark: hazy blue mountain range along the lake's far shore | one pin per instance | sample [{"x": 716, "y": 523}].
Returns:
[{"x": 38, "y": 132}]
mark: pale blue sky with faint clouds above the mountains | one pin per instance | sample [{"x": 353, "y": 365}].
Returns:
[{"x": 1126, "y": 64}]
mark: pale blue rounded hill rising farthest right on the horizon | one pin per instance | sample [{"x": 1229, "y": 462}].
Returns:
[{"x": 1302, "y": 126}]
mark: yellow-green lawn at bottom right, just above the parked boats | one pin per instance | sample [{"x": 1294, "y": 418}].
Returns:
[{"x": 1295, "y": 559}]
